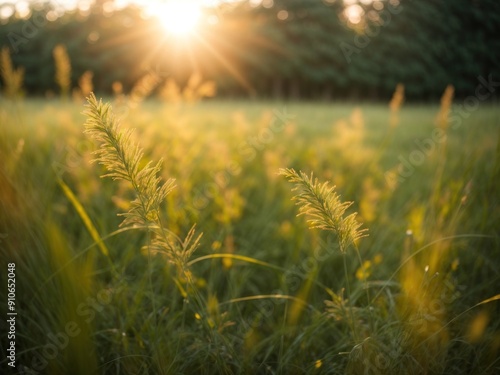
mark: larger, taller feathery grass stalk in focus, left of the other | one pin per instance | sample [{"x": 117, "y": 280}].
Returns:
[{"x": 122, "y": 159}]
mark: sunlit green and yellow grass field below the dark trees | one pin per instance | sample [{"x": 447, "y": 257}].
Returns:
[{"x": 263, "y": 293}]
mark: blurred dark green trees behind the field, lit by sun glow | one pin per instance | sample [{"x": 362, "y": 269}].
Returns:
[{"x": 281, "y": 48}]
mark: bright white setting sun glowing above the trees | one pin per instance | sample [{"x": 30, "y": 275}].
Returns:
[{"x": 178, "y": 18}]
